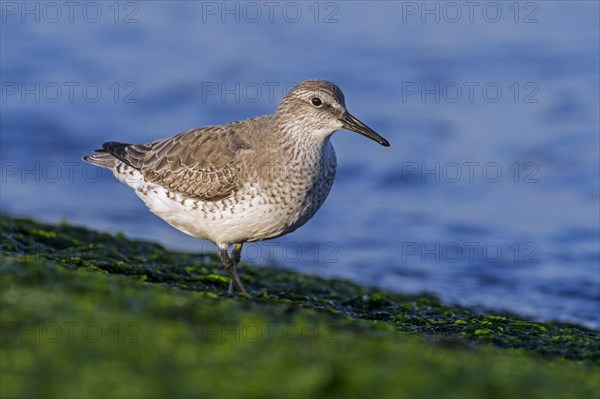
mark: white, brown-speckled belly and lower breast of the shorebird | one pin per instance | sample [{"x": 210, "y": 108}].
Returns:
[{"x": 256, "y": 212}]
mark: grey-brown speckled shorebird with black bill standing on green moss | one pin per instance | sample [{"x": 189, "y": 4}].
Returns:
[{"x": 243, "y": 181}]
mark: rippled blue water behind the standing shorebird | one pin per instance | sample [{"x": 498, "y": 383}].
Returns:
[{"x": 488, "y": 196}]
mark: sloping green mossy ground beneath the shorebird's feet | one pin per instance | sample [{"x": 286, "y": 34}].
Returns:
[{"x": 86, "y": 314}]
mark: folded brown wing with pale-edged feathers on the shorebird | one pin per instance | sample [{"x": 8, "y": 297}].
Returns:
[{"x": 202, "y": 163}]
